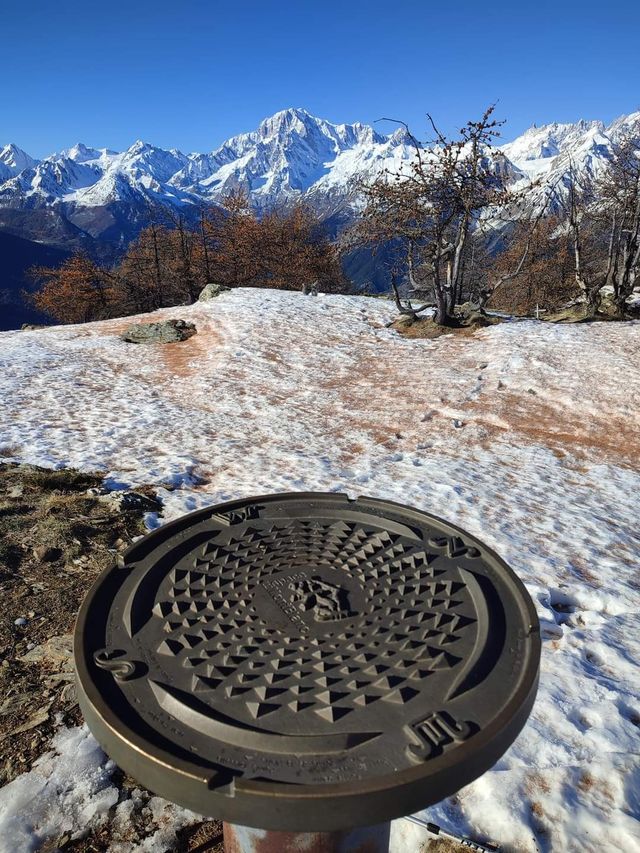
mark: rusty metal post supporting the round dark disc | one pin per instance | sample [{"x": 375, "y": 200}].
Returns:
[{"x": 368, "y": 839}]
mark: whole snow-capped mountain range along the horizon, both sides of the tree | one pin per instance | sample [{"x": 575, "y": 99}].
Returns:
[{"x": 108, "y": 196}]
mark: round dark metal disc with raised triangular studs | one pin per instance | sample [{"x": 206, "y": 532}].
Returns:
[{"x": 307, "y": 661}]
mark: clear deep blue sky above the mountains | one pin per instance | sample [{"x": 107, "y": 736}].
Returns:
[{"x": 190, "y": 74}]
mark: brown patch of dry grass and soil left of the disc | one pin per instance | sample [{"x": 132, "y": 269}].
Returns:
[{"x": 54, "y": 541}]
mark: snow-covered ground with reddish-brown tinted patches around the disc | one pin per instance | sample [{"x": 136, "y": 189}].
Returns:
[{"x": 526, "y": 434}]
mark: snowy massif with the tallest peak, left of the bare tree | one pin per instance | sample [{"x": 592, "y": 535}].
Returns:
[{"x": 291, "y": 153}]
